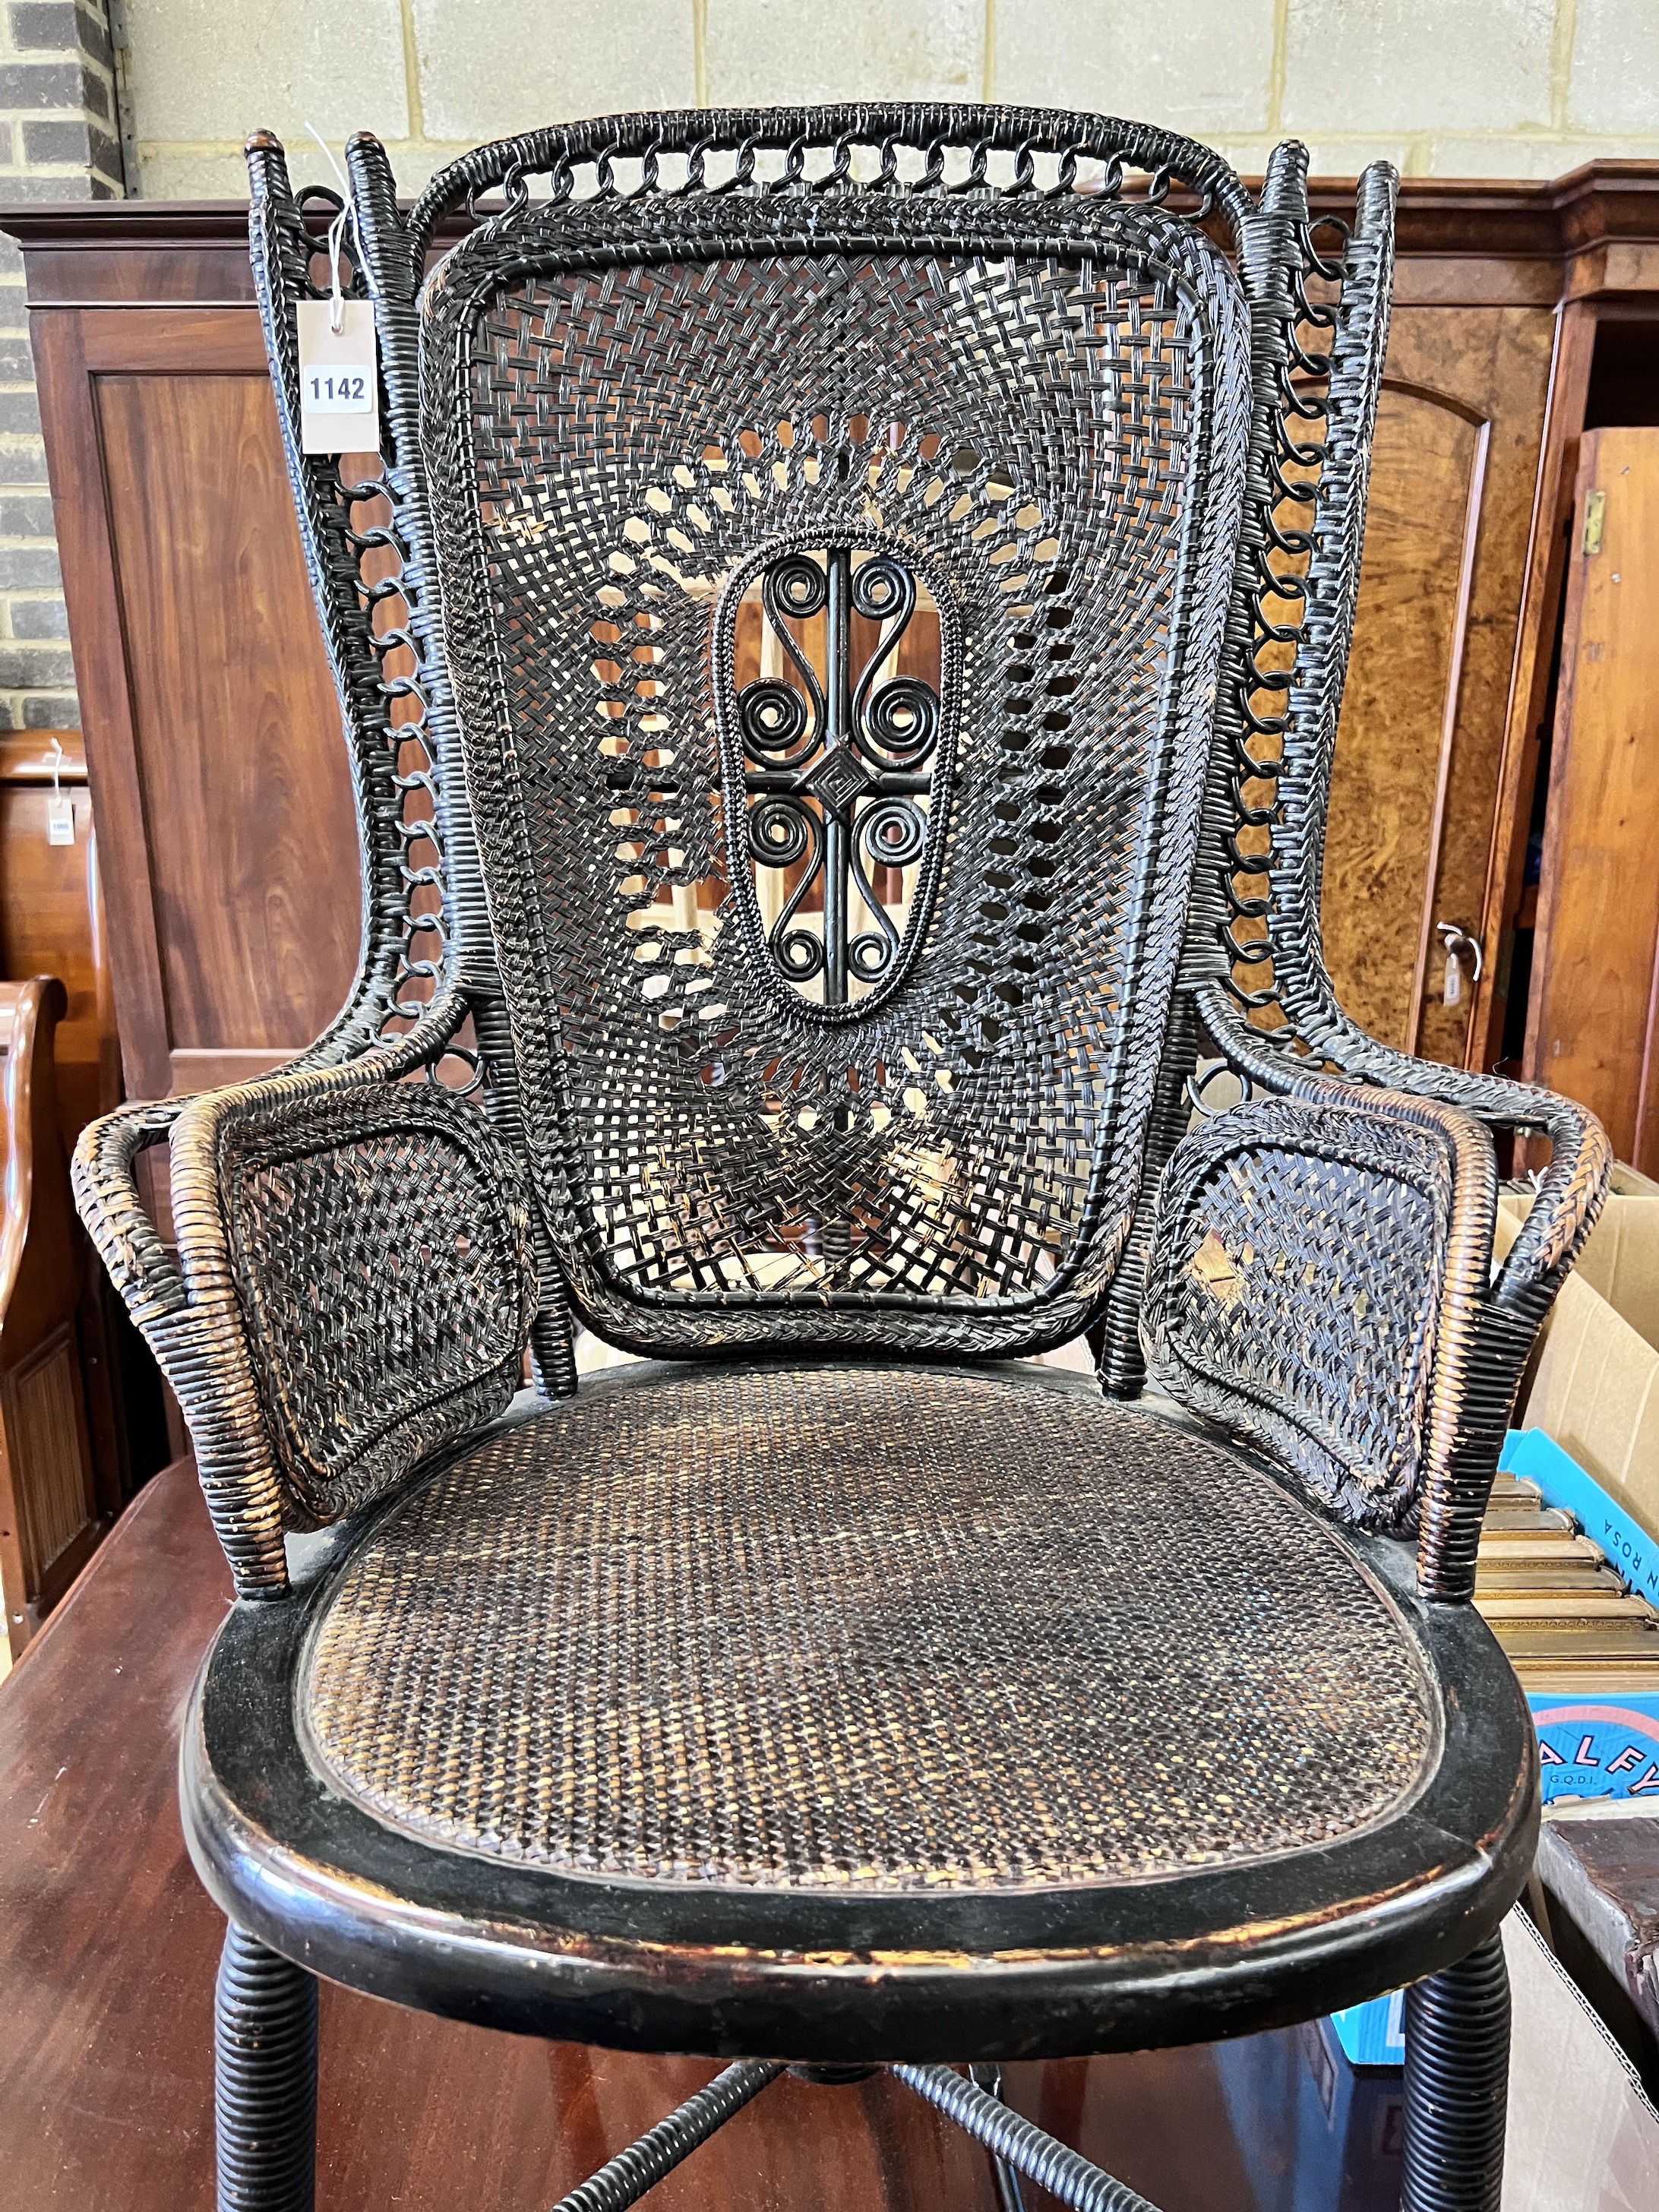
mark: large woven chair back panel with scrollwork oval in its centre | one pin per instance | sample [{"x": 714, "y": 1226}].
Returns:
[{"x": 839, "y": 974}]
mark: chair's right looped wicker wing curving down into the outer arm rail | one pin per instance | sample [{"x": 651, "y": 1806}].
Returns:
[{"x": 1273, "y": 1010}]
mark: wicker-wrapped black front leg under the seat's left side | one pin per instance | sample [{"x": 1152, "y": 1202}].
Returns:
[{"x": 264, "y": 2096}]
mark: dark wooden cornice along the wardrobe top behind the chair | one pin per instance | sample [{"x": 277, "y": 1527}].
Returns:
[{"x": 1598, "y": 227}]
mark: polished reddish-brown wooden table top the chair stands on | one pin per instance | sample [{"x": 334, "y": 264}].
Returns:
[{"x": 109, "y": 1952}]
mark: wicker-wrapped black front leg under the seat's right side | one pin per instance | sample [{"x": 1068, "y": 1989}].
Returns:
[{"x": 1457, "y": 2085}]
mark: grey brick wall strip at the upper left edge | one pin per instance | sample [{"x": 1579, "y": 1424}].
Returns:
[{"x": 59, "y": 140}]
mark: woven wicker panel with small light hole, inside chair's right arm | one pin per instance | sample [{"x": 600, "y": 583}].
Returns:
[{"x": 1300, "y": 1295}]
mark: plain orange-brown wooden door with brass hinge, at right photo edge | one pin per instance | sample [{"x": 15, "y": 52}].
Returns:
[{"x": 1594, "y": 1016}]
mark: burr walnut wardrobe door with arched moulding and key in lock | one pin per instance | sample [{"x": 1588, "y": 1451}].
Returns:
[{"x": 1419, "y": 751}]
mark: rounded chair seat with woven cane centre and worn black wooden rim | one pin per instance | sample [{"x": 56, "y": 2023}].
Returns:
[{"x": 966, "y": 1676}]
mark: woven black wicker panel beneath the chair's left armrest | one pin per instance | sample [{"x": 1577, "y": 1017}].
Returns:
[{"x": 384, "y": 1266}]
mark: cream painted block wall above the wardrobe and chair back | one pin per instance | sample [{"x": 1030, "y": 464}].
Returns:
[{"x": 1441, "y": 87}]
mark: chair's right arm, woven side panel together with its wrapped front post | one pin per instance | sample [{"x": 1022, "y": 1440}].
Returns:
[{"x": 1322, "y": 1282}]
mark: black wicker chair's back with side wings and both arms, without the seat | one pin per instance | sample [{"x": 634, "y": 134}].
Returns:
[{"x": 842, "y": 662}]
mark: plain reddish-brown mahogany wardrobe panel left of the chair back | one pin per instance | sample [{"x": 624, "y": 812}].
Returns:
[{"x": 247, "y": 789}]
